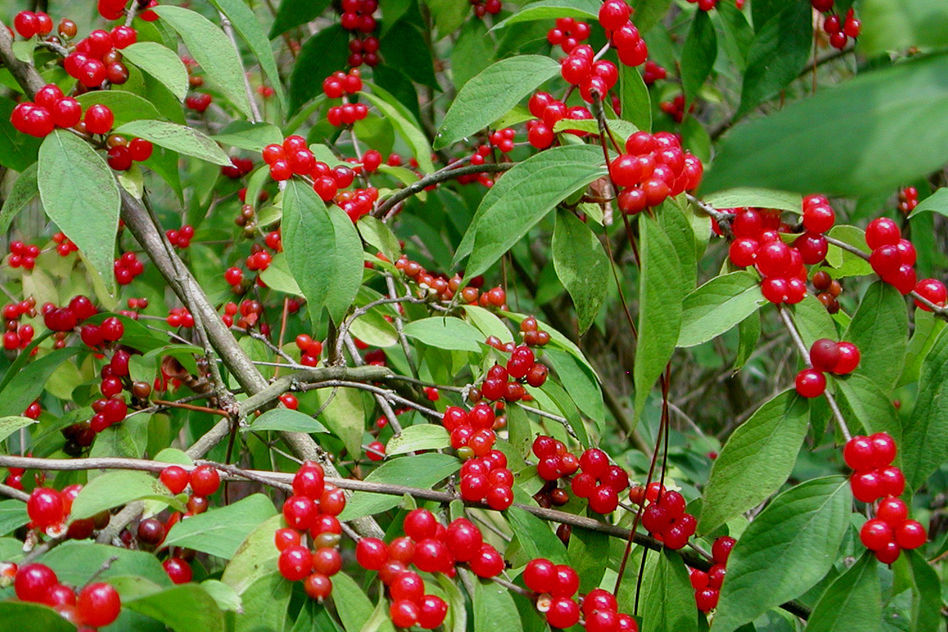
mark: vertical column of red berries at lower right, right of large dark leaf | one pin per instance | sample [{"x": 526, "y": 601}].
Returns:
[{"x": 873, "y": 478}]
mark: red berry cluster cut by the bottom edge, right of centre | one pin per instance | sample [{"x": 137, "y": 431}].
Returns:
[{"x": 557, "y": 584}]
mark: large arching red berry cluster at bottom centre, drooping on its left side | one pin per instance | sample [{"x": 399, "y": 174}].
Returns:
[{"x": 430, "y": 547}]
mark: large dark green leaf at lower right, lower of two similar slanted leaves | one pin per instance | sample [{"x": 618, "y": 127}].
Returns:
[{"x": 787, "y": 549}]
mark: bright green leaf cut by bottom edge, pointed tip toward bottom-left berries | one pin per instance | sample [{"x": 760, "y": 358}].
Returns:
[{"x": 182, "y": 608}]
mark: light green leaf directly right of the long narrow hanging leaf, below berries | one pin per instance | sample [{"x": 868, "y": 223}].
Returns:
[{"x": 717, "y": 306}]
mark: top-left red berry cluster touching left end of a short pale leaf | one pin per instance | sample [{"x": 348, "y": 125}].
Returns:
[{"x": 96, "y": 58}]
